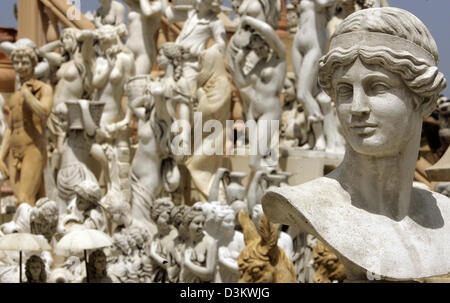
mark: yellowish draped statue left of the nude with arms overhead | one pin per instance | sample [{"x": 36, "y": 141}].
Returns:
[{"x": 214, "y": 103}]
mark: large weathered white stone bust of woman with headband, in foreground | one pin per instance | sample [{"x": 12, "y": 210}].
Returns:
[{"x": 381, "y": 70}]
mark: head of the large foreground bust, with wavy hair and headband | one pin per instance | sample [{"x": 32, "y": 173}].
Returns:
[{"x": 381, "y": 71}]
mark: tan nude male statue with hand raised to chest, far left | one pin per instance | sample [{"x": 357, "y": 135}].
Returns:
[{"x": 23, "y": 152}]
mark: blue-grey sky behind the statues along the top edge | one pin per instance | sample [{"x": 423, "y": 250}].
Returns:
[{"x": 433, "y": 13}]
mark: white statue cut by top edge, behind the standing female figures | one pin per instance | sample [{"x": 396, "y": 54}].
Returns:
[{"x": 110, "y": 12}]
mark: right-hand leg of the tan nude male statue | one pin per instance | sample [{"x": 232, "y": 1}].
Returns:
[{"x": 33, "y": 164}]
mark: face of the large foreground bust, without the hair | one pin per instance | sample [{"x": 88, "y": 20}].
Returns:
[{"x": 376, "y": 109}]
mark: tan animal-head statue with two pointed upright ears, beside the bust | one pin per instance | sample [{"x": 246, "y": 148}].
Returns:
[{"x": 262, "y": 260}]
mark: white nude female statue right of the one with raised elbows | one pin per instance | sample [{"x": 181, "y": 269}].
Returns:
[{"x": 112, "y": 69}]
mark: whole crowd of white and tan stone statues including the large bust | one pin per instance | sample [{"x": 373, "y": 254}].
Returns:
[{"x": 69, "y": 138}]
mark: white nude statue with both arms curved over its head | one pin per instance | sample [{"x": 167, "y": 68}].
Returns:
[{"x": 260, "y": 88}]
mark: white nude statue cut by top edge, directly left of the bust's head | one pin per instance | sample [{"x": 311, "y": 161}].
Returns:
[{"x": 310, "y": 43}]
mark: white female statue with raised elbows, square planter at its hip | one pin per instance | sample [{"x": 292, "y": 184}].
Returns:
[{"x": 73, "y": 137}]
